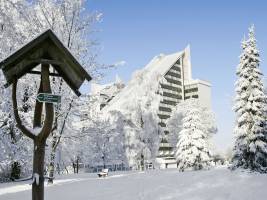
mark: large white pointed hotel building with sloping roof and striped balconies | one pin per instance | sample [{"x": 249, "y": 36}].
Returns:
[{"x": 174, "y": 84}]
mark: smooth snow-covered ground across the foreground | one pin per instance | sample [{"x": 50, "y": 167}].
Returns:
[{"x": 215, "y": 184}]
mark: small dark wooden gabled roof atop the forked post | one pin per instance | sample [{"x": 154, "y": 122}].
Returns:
[{"x": 46, "y": 48}]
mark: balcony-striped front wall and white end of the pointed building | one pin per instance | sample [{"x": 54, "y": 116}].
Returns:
[{"x": 178, "y": 86}]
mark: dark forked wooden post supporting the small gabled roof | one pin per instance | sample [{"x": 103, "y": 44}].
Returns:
[{"x": 39, "y": 139}]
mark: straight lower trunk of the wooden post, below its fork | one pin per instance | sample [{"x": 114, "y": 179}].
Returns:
[{"x": 38, "y": 171}]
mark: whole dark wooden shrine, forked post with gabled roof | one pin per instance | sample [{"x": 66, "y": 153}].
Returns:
[{"x": 48, "y": 51}]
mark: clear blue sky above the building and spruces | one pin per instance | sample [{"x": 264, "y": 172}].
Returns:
[{"x": 134, "y": 31}]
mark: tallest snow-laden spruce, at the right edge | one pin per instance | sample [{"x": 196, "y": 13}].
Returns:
[{"x": 250, "y": 150}]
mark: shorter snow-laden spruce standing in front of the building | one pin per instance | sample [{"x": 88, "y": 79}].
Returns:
[{"x": 192, "y": 147}]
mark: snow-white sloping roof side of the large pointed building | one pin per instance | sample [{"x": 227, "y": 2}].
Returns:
[{"x": 144, "y": 82}]
